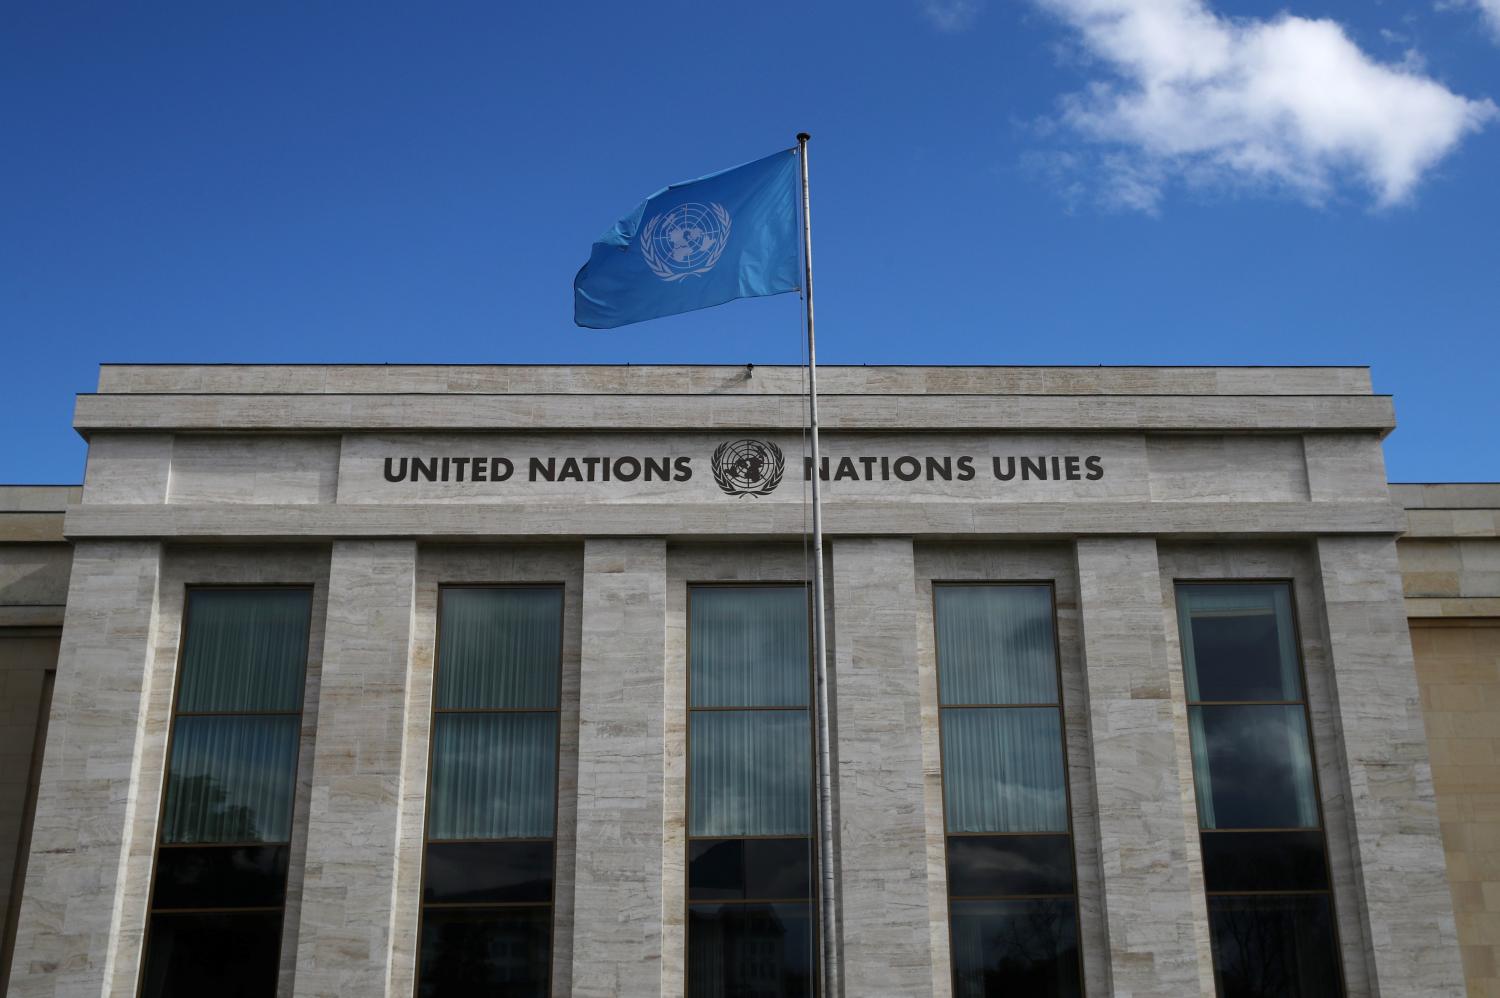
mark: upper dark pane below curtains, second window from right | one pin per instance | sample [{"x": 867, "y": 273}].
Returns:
[{"x": 986, "y": 867}]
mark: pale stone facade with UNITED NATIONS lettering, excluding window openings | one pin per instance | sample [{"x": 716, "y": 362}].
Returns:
[{"x": 1109, "y": 485}]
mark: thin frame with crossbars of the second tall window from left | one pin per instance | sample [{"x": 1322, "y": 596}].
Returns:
[{"x": 557, "y": 783}]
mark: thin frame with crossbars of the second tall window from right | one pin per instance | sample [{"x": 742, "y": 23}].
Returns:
[{"x": 1067, "y": 775}]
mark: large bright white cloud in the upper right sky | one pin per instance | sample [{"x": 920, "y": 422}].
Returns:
[{"x": 1288, "y": 103}]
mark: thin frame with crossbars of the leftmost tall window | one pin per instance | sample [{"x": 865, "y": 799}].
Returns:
[{"x": 167, "y": 766}]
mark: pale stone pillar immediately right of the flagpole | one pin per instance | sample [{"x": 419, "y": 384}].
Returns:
[{"x": 883, "y": 825}]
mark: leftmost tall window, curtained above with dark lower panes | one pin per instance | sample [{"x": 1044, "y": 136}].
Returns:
[{"x": 220, "y": 894}]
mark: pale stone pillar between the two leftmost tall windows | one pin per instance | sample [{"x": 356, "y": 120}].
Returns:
[{"x": 347, "y": 897}]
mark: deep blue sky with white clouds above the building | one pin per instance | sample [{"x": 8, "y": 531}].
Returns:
[{"x": 1010, "y": 182}]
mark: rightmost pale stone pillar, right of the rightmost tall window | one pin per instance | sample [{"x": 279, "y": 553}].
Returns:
[{"x": 1399, "y": 852}]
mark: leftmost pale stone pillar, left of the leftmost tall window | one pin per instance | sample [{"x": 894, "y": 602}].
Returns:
[{"x": 70, "y": 931}]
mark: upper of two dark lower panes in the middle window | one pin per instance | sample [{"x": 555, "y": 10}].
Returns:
[{"x": 737, "y": 870}]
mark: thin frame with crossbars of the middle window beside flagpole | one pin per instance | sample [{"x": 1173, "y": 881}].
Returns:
[{"x": 815, "y": 855}]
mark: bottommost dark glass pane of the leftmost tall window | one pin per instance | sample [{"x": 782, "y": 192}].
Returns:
[{"x": 226, "y": 955}]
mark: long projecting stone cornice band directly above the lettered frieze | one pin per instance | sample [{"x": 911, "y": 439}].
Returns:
[{"x": 238, "y": 413}]
